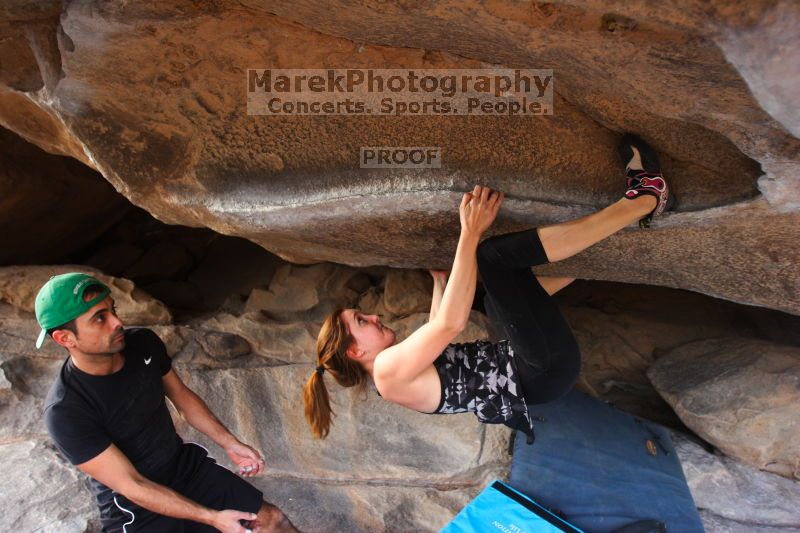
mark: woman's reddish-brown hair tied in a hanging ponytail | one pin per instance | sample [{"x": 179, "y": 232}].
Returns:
[{"x": 332, "y": 343}]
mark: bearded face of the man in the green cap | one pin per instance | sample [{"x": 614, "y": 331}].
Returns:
[{"x": 100, "y": 331}]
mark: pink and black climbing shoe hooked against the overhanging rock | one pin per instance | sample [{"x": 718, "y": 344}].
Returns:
[{"x": 647, "y": 179}]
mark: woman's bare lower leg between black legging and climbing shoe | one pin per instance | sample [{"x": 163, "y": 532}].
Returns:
[{"x": 564, "y": 240}]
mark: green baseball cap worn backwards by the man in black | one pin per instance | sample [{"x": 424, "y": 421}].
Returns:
[{"x": 61, "y": 300}]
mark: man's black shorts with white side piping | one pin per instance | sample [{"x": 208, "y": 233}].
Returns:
[{"x": 200, "y": 479}]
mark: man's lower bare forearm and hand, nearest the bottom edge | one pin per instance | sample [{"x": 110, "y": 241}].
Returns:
[{"x": 114, "y": 470}]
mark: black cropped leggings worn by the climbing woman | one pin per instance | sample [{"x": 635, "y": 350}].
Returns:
[{"x": 547, "y": 357}]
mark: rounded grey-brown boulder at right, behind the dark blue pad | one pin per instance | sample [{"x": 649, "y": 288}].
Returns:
[{"x": 742, "y": 396}]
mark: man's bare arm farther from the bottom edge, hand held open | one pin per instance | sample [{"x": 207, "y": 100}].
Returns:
[{"x": 199, "y": 416}]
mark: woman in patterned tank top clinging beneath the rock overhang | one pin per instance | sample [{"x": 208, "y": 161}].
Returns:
[{"x": 538, "y": 361}]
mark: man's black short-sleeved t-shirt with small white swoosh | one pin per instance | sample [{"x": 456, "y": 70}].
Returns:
[{"x": 84, "y": 414}]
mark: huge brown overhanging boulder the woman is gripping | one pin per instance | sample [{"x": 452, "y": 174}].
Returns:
[{"x": 151, "y": 95}]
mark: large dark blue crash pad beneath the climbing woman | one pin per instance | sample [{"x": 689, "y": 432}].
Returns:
[{"x": 602, "y": 468}]
